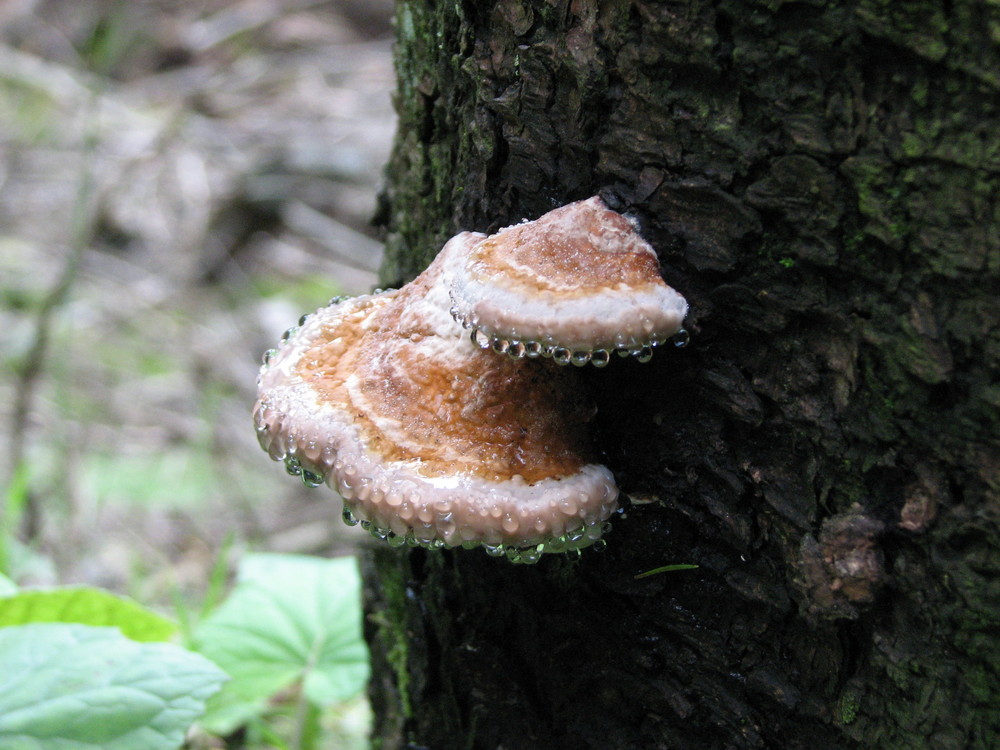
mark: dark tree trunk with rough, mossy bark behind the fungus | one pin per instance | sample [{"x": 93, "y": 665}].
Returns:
[{"x": 820, "y": 180}]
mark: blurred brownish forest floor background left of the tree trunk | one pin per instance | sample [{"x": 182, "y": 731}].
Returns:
[{"x": 180, "y": 180}]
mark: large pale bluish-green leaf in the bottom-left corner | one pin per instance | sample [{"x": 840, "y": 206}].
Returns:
[{"x": 77, "y": 687}]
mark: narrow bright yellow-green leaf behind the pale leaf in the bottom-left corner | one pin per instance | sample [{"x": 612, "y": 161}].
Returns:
[{"x": 86, "y": 606}]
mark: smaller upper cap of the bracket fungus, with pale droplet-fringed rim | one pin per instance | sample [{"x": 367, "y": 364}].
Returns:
[{"x": 576, "y": 283}]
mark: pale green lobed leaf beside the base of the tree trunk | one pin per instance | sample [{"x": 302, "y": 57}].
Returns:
[{"x": 290, "y": 618}]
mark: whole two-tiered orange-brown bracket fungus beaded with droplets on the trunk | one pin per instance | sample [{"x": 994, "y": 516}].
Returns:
[{"x": 431, "y": 440}]
